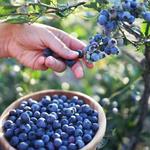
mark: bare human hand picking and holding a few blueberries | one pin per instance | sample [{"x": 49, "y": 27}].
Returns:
[{"x": 27, "y": 42}]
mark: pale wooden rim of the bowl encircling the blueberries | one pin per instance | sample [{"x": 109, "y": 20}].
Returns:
[{"x": 102, "y": 118}]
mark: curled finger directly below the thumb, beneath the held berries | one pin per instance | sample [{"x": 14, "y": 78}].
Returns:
[{"x": 55, "y": 64}]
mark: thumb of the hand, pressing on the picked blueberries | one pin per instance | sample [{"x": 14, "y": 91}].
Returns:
[{"x": 54, "y": 43}]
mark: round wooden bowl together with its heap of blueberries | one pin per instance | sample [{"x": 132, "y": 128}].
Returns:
[{"x": 52, "y": 120}]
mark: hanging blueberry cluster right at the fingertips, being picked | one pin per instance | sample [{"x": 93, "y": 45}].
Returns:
[{"x": 100, "y": 46}]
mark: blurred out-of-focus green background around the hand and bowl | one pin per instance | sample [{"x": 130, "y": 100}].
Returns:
[{"x": 115, "y": 82}]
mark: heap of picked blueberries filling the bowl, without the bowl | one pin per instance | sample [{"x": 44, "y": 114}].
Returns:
[{"x": 53, "y": 123}]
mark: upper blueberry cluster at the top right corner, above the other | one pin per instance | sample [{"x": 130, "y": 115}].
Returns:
[{"x": 126, "y": 12}]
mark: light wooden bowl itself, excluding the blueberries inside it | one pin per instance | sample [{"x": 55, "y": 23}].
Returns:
[{"x": 37, "y": 96}]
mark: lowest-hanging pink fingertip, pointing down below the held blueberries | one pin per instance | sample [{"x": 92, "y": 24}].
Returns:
[{"x": 77, "y": 69}]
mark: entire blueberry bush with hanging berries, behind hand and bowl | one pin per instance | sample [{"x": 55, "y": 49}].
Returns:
[{"x": 120, "y": 83}]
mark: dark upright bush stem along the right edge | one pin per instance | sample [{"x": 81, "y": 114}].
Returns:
[{"x": 143, "y": 107}]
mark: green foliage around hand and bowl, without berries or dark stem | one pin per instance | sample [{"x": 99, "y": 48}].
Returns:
[{"x": 116, "y": 83}]
